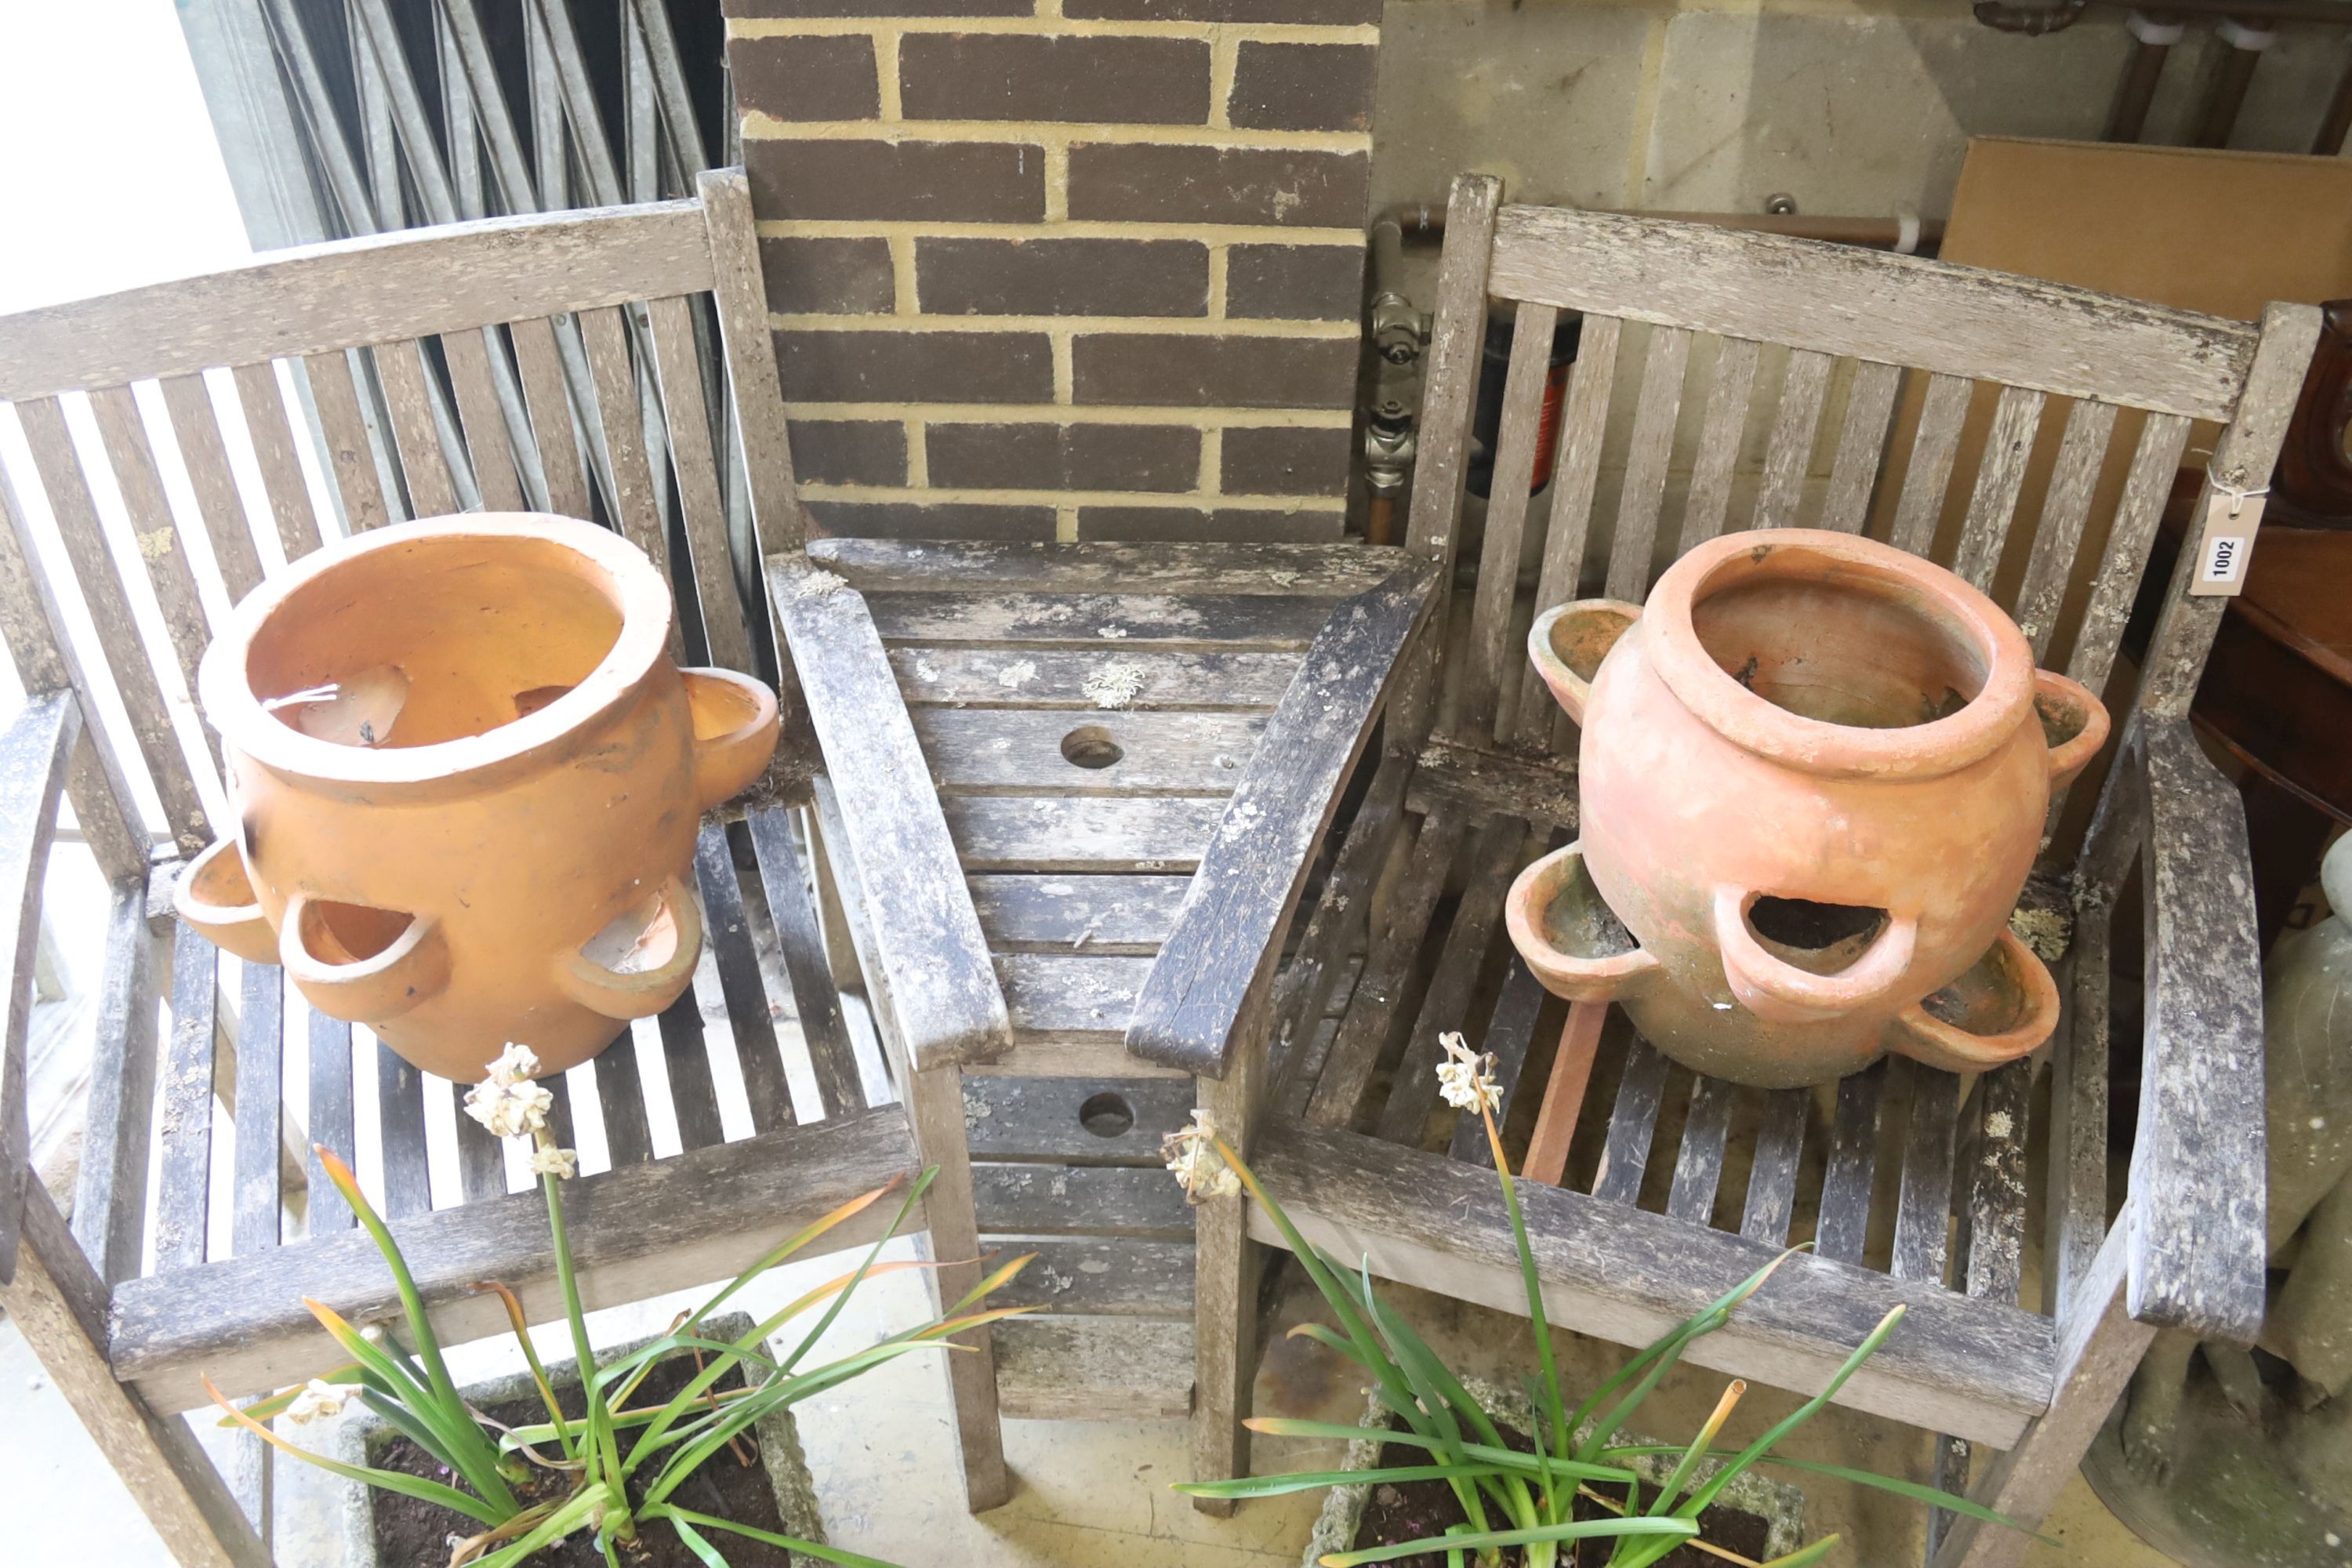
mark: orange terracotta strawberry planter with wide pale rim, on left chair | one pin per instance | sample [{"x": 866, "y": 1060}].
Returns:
[{"x": 467, "y": 782}]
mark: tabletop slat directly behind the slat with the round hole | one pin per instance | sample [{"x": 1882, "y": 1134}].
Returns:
[{"x": 1090, "y": 681}]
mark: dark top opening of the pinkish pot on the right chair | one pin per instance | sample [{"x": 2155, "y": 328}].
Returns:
[{"x": 1838, "y": 645}]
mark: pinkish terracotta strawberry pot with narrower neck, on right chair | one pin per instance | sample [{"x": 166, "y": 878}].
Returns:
[{"x": 1815, "y": 777}]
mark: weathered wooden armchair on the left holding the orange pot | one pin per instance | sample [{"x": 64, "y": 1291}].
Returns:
[{"x": 547, "y": 361}]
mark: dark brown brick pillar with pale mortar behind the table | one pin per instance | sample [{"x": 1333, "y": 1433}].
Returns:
[{"x": 1064, "y": 269}]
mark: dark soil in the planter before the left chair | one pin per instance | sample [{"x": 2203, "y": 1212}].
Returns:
[{"x": 413, "y": 1534}]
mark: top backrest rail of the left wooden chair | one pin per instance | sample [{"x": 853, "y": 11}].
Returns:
[{"x": 323, "y": 297}]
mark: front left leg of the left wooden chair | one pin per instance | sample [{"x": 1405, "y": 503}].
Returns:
[{"x": 60, "y": 1306}]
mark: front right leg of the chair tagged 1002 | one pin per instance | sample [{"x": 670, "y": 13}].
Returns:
[{"x": 2099, "y": 1348}]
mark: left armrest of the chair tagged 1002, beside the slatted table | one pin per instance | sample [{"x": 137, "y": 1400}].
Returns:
[{"x": 1229, "y": 932}]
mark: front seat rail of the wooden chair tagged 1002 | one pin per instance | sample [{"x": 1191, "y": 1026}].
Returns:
[{"x": 1979, "y": 1369}]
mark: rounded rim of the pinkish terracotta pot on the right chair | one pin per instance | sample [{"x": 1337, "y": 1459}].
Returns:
[{"x": 1817, "y": 746}]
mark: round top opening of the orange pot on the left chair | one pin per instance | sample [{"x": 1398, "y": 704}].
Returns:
[{"x": 434, "y": 641}]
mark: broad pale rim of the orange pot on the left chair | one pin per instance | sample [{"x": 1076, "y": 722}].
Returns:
[{"x": 253, "y": 730}]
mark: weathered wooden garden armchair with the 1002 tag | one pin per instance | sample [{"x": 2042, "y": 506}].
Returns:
[{"x": 1354, "y": 1139}]
